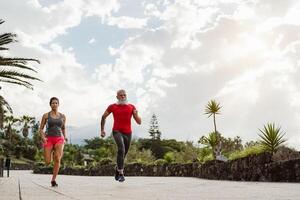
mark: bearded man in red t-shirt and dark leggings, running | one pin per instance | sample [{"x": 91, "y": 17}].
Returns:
[{"x": 122, "y": 112}]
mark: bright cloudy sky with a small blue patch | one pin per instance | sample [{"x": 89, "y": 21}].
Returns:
[{"x": 172, "y": 57}]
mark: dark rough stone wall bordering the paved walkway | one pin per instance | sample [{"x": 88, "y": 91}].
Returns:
[{"x": 252, "y": 168}]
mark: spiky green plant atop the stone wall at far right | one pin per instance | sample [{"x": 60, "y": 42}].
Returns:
[{"x": 271, "y": 137}]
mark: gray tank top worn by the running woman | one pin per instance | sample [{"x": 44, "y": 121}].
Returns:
[{"x": 54, "y": 126}]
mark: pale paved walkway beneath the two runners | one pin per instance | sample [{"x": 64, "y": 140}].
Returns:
[{"x": 27, "y": 186}]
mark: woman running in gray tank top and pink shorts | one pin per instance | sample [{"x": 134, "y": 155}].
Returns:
[{"x": 54, "y": 137}]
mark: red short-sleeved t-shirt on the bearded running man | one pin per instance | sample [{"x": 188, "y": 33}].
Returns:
[{"x": 122, "y": 117}]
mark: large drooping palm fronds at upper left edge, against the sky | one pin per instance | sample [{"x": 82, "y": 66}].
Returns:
[{"x": 9, "y": 66}]
